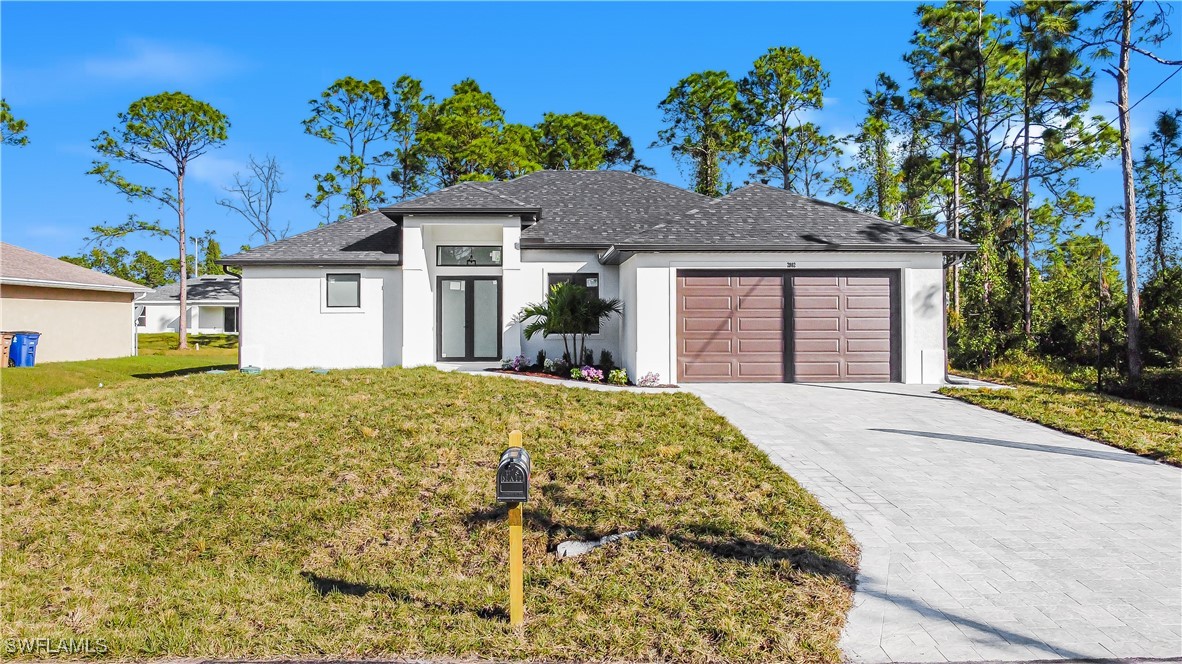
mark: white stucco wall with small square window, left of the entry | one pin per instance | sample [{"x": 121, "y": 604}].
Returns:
[{"x": 287, "y": 323}]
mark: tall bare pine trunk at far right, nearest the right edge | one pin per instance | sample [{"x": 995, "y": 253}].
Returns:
[{"x": 1133, "y": 292}]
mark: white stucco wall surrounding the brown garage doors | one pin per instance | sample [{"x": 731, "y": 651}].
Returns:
[{"x": 651, "y": 342}]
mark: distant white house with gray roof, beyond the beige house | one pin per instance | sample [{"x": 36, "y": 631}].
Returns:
[{"x": 212, "y": 307}]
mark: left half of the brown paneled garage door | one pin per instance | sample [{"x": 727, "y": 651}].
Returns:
[{"x": 730, "y": 328}]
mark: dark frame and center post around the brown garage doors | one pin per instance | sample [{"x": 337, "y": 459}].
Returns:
[{"x": 895, "y": 276}]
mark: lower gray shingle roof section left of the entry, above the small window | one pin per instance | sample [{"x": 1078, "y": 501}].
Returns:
[{"x": 368, "y": 239}]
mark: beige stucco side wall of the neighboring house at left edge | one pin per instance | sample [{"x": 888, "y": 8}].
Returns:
[{"x": 75, "y": 324}]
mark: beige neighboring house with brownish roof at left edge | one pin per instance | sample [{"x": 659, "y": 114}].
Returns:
[{"x": 81, "y": 314}]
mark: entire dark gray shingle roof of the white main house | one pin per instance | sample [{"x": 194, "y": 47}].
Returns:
[{"x": 624, "y": 212}]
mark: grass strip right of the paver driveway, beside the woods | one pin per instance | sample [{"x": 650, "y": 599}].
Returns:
[{"x": 1067, "y": 402}]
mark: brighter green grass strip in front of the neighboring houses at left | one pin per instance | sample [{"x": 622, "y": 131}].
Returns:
[{"x": 158, "y": 359}]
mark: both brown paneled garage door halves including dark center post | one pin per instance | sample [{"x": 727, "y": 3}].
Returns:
[{"x": 761, "y": 327}]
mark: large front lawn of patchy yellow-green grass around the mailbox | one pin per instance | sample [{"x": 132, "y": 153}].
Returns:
[{"x": 352, "y": 515}]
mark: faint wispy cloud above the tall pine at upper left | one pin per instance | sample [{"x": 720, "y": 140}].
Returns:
[{"x": 144, "y": 60}]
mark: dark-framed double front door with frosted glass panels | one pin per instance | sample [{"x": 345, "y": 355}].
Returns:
[{"x": 469, "y": 323}]
